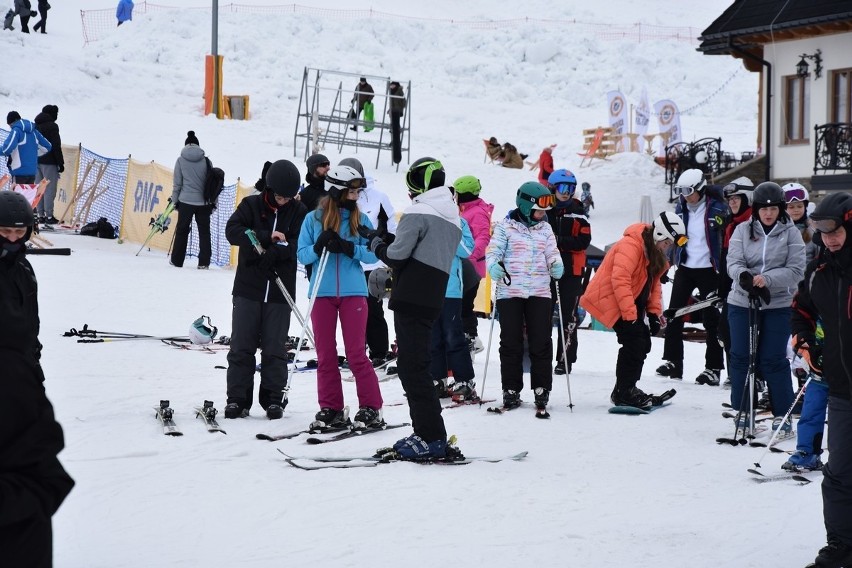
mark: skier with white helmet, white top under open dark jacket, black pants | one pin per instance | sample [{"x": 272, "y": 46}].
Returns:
[{"x": 703, "y": 212}]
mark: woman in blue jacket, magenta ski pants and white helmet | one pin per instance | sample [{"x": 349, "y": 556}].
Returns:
[{"x": 340, "y": 294}]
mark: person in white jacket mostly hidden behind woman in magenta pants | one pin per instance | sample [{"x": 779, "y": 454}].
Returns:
[{"x": 376, "y": 205}]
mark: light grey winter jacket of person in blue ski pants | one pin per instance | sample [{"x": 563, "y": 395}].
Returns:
[{"x": 778, "y": 256}]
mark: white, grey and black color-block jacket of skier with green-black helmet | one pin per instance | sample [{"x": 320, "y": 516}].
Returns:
[{"x": 426, "y": 241}]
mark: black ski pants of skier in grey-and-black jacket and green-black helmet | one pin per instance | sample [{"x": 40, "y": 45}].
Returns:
[{"x": 413, "y": 336}]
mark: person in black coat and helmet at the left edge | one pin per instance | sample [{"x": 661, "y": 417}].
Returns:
[{"x": 33, "y": 483}]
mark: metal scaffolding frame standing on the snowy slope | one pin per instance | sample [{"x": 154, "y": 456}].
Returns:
[{"x": 323, "y": 90}]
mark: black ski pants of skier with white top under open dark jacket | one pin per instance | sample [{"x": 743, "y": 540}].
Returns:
[{"x": 685, "y": 281}]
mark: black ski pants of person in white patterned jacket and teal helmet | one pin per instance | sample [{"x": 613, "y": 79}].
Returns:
[{"x": 533, "y": 315}]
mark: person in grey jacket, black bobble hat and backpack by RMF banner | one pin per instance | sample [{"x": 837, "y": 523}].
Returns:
[{"x": 190, "y": 179}]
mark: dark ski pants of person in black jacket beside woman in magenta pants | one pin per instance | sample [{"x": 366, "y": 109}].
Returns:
[{"x": 256, "y": 325}]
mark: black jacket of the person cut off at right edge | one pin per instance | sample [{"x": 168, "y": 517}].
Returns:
[{"x": 825, "y": 294}]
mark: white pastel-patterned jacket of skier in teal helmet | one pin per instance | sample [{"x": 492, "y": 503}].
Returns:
[{"x": 527, "y": 254}]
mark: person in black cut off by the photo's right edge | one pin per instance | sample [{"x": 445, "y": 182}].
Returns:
[{"x": 824, "y": 294}]
